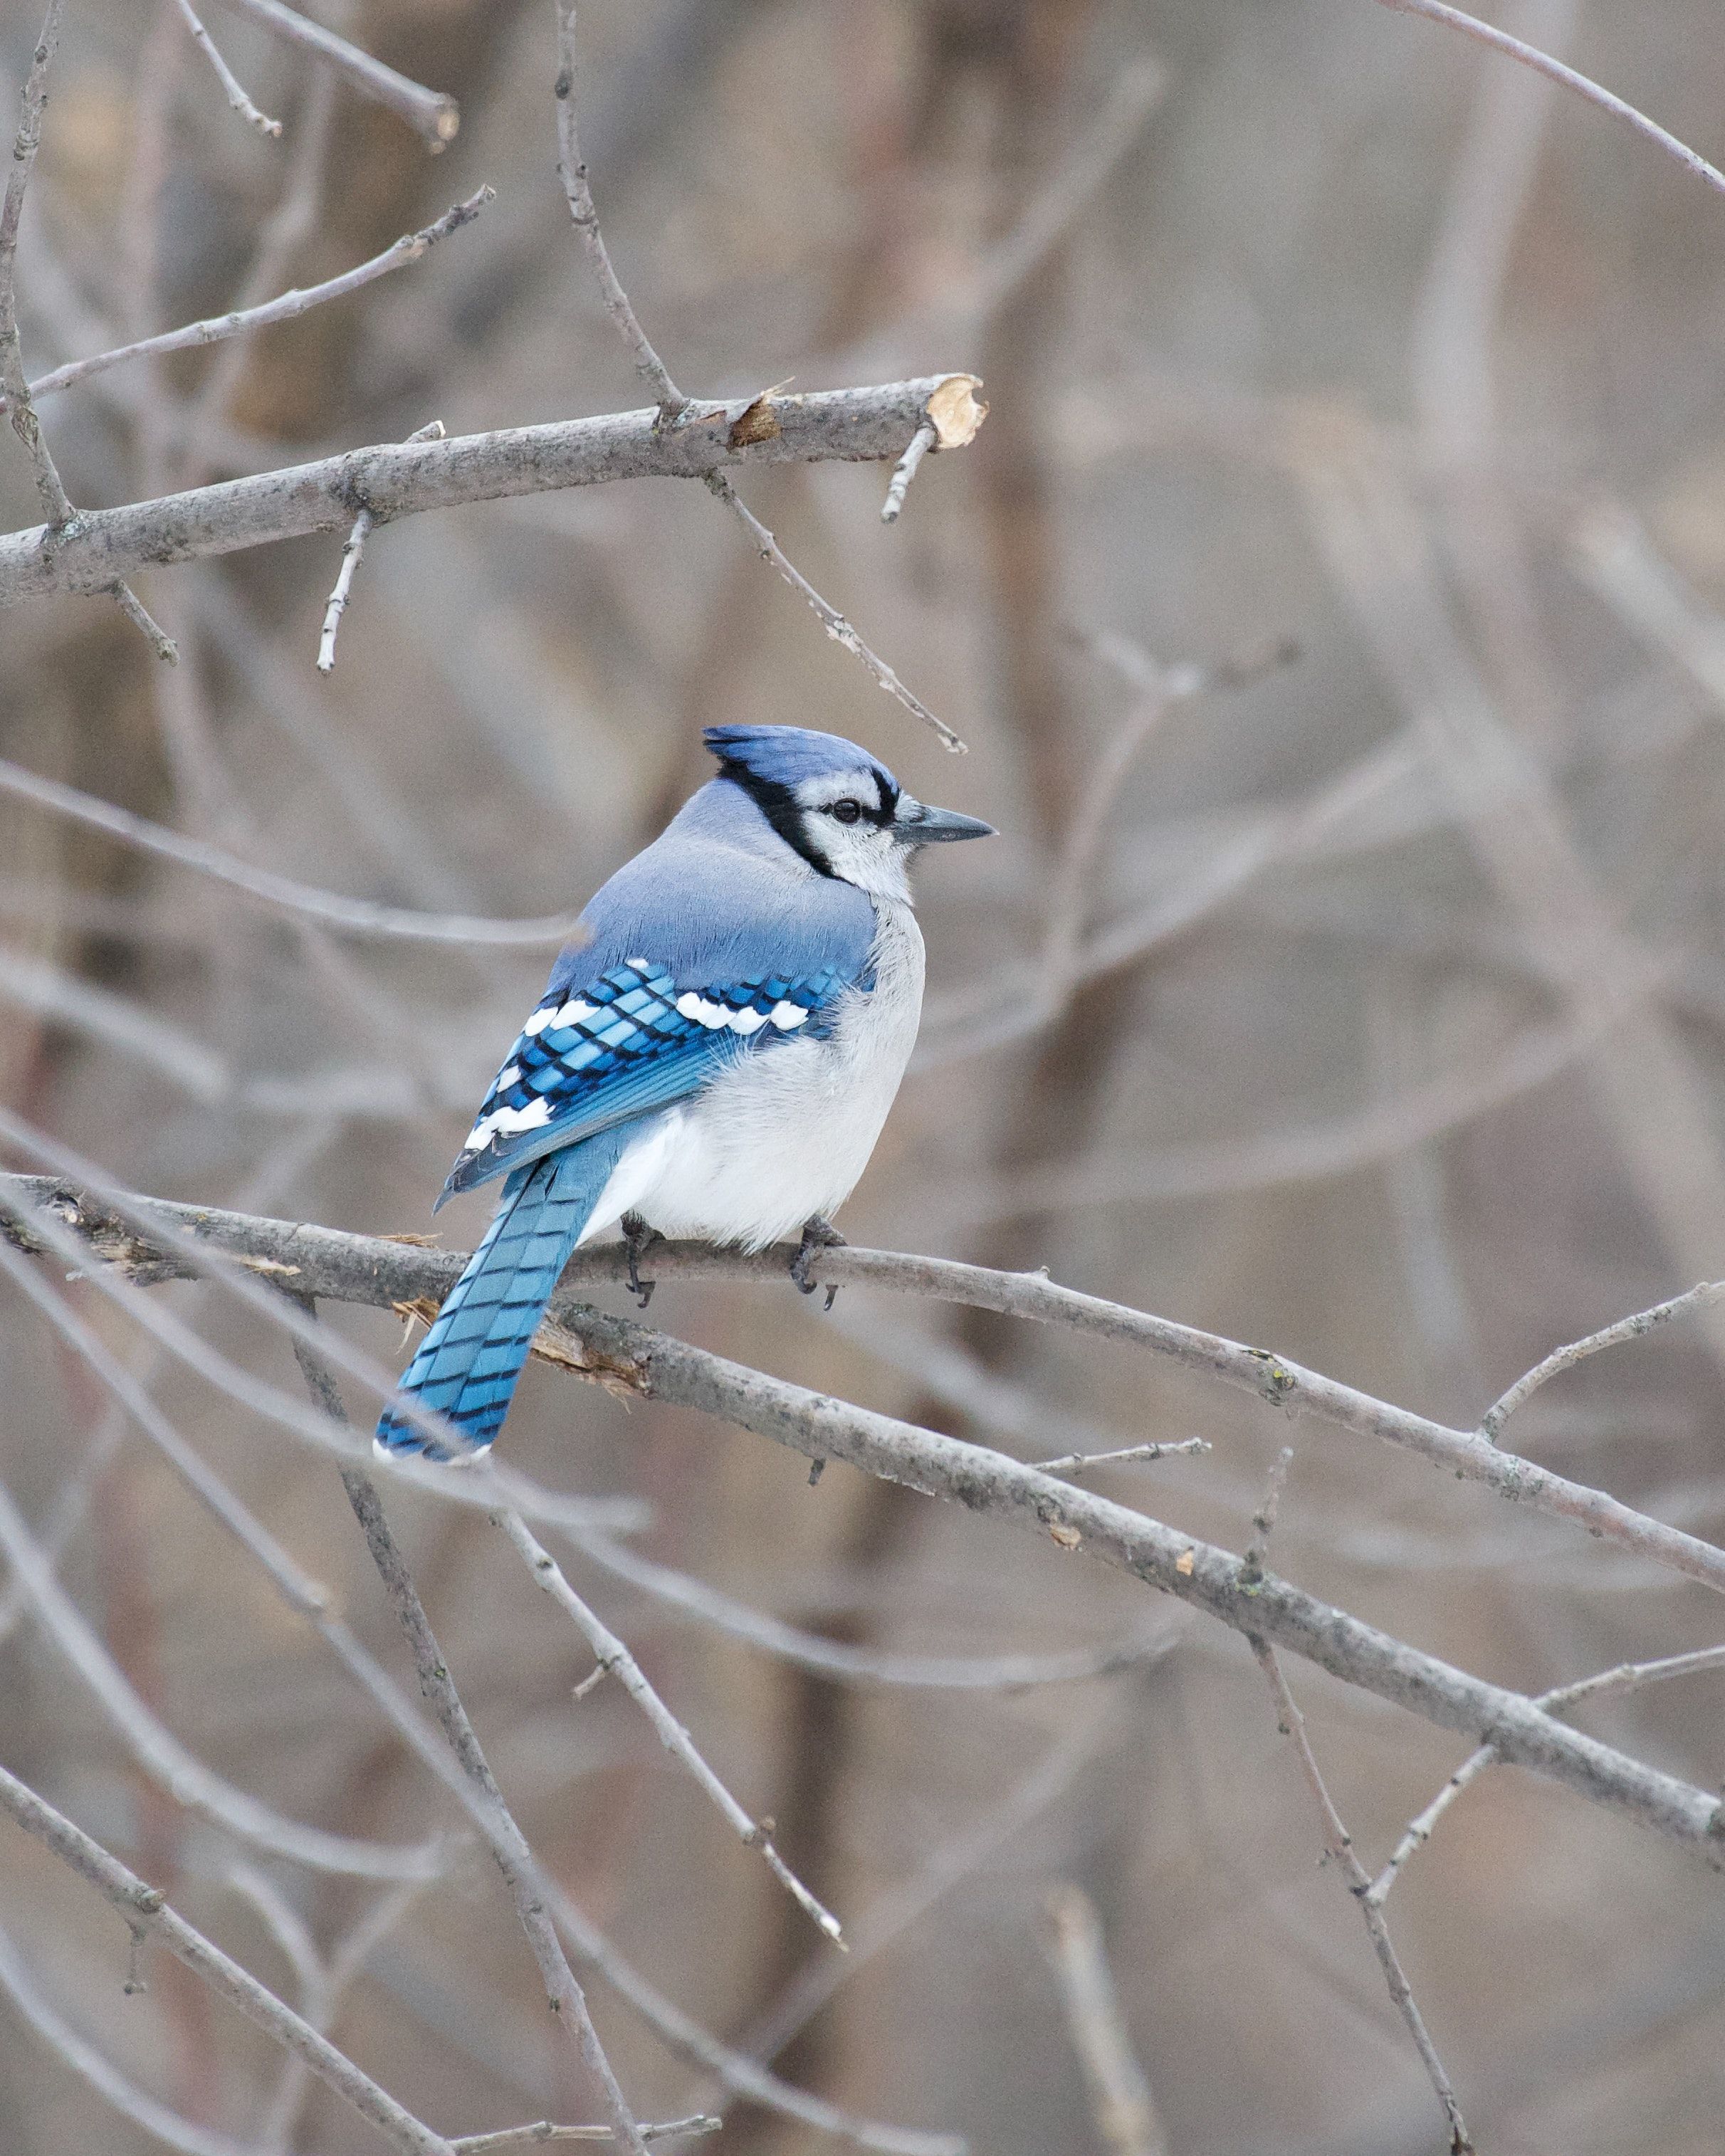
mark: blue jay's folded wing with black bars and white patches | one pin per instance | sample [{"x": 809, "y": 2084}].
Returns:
[{"x": 629, "y": 1042}]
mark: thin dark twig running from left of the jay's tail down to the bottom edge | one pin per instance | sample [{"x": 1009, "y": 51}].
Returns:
[{"x": 510, "y": 1847}]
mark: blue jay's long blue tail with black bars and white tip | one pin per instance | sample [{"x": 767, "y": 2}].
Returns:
[{"x": 473, "y": 1355}]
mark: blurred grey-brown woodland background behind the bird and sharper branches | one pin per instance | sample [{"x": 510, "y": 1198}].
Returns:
[{"x": 1366, "y": 1006}]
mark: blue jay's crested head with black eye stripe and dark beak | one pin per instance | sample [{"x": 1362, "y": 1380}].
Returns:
[{"x": 836, "y": 805}]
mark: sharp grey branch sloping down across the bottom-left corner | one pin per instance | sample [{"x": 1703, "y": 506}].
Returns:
[{"x": 148, "y": 1916}]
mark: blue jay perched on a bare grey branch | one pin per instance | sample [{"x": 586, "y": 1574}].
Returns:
[{"x": 715, "y": 1055}]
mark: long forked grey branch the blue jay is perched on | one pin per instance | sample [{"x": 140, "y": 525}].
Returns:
[{"x": 376, "y": 1273}]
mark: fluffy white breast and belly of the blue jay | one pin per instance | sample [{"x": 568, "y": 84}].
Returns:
[{"x": 788, "y": 1131}]
